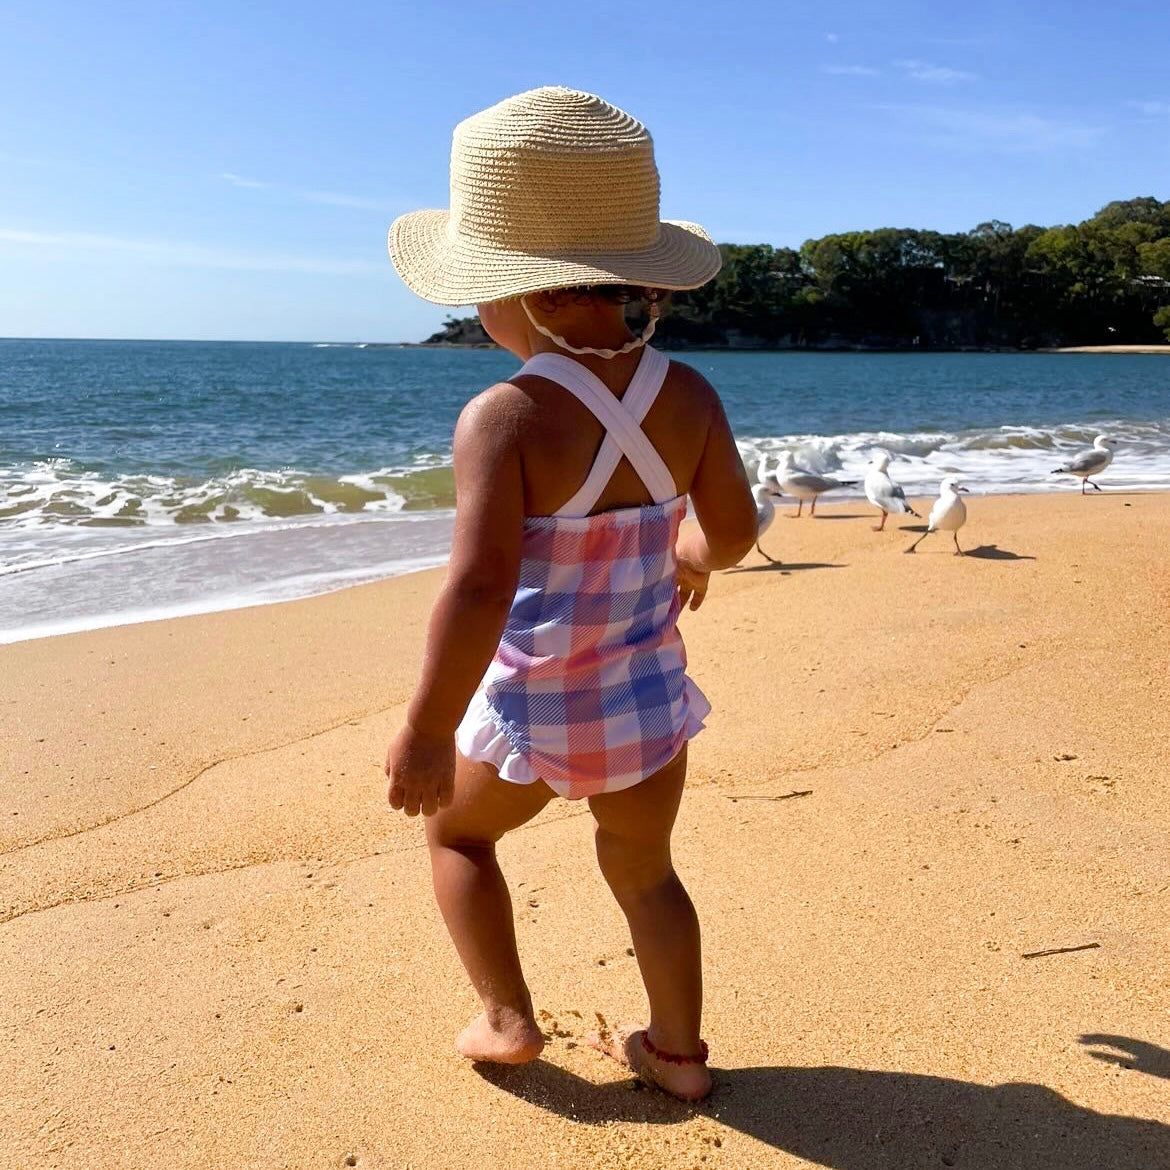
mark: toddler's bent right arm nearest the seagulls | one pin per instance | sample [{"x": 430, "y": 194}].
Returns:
[{"x": 725, "y": 508}]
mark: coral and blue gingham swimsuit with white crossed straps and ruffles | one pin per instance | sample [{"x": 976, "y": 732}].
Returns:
[{"x": 589, "y": 689}]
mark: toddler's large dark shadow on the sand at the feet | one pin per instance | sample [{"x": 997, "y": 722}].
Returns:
[{"x": 859, "y": 1119}]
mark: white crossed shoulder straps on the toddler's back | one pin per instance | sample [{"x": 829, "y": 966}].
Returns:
[{"x": 622, "y": 419}]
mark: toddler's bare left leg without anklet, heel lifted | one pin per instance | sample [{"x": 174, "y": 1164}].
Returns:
[{"x": 477, "y": 907}]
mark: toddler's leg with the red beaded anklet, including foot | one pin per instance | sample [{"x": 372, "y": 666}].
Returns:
[{"x": 634, "y": 849}]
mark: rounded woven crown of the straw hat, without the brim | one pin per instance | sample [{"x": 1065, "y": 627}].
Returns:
[{"x": 554, "y": 173}]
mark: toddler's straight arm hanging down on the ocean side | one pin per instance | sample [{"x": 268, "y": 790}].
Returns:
[{"x": 470, "y": 614}]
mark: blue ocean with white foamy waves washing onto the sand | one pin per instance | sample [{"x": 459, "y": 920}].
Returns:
[{"x": 142, "y": 480}]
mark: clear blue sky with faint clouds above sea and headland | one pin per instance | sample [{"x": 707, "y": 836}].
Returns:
[{"x": 229, "y": 170}]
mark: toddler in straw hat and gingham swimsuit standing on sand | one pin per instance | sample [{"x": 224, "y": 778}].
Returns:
[{"x": 554, "y": 665}]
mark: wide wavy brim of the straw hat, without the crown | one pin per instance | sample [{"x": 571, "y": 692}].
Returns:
[{"x": 456, "y": 271}]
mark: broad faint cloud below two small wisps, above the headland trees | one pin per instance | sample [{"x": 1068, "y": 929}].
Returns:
[{"x": 1002, "y": 132}]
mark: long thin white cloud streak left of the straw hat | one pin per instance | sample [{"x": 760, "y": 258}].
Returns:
[{"x": 184, "y": 254}]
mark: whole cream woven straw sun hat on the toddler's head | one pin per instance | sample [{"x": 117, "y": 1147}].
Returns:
[{"x": 549, "y": 190}]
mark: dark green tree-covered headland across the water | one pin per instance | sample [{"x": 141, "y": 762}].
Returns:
[{"x": 1104, "y": 281}]
